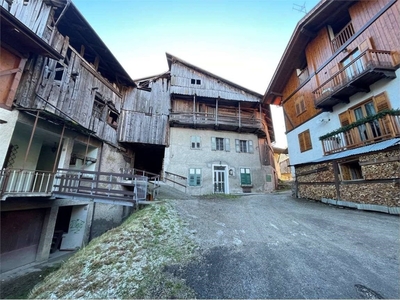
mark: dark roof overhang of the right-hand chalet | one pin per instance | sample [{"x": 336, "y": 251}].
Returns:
[{"x": 324, "y": 13}]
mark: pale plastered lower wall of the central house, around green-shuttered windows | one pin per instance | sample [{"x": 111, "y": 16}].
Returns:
[{"x": 179, "y": 157}]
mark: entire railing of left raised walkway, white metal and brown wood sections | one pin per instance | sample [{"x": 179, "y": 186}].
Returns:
[{"x": 129, "y": 187}]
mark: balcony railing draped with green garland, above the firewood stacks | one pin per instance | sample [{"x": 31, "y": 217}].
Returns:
[{"x": 373, "y": 129}]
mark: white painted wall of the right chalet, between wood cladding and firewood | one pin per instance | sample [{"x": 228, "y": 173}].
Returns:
[{"x": 318, "y": 128}]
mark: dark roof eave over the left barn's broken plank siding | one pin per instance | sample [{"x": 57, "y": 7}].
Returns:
[{"x": 71, "y": 23}]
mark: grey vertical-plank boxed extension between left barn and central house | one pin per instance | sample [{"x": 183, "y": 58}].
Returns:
[{"x": 144, "y": 117}]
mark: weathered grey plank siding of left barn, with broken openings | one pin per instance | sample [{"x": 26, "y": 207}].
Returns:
[{"x": 69, "y": 86}]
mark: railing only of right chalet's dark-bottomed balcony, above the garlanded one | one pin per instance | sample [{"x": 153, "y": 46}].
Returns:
[{"x": 367, "y": 60}]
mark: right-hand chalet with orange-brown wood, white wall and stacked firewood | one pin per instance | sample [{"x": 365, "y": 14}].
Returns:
[{"x": 338, "y": 83}]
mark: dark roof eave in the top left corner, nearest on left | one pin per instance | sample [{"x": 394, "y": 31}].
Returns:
[{"x": 21, "y": 38}]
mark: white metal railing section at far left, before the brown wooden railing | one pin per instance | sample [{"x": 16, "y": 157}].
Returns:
[{"x": 24, "y": 182}]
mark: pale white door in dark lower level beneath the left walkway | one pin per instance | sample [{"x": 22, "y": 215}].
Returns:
[{"x": 77, "y": 225}]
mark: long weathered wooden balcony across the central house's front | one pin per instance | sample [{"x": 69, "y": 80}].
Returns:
[{"x": 223, "y": 122}]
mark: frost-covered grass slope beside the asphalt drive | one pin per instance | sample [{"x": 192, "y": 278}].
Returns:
[{"x": 126, "y": 262}]
